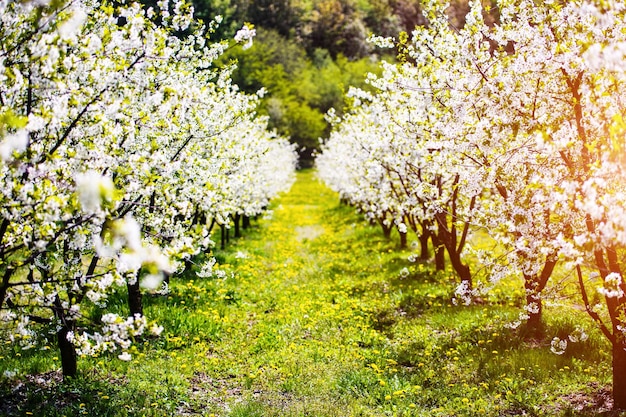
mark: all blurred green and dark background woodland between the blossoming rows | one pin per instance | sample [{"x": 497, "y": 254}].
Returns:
[{"x": 307, "y": 53}]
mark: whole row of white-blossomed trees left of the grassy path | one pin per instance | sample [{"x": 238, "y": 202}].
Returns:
[{"x": 119, "y": 142}]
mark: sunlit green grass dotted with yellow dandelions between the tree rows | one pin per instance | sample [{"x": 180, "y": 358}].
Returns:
[{"x": 315, "y": 315}]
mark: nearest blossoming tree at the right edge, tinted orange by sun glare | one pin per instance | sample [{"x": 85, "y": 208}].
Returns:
[{"x": 571, "y": 53}]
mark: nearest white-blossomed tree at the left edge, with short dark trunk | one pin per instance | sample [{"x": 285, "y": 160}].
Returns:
[{"x": 53, "y": 208}]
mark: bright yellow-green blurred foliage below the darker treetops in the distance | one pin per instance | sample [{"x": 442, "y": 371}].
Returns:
[{"x": 300, "y": 90}]
